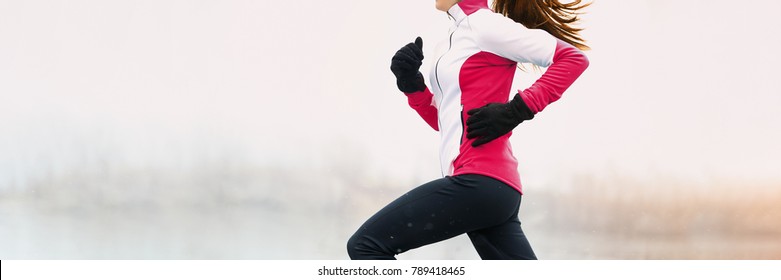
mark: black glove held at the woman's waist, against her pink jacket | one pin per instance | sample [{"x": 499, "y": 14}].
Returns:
[{"x": 496, "y": 119}]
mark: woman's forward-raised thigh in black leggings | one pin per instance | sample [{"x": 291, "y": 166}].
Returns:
[{"x": 435, "y": 211}]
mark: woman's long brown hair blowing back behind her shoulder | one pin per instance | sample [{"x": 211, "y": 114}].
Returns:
[{"x": 549, "y": 15}]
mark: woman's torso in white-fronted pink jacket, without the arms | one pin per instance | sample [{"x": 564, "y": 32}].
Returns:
[{"x": 464, "y": 77}]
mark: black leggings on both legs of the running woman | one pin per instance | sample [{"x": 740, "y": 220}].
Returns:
[{"x": 482, "y": 207}]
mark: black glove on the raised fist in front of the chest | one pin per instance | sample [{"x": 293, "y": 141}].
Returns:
[{"x": 405, "y": 65}]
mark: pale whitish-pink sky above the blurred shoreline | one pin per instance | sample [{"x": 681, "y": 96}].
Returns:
[{"x": 674, "y": 89}]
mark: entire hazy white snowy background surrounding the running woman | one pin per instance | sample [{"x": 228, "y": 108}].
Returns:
[{"x": 164, "y": 129}]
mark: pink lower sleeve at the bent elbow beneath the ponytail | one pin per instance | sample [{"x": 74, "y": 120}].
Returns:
[{"x": 568, "y": 64}]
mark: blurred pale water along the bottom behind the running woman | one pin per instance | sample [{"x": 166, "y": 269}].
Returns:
[{"x": 39, "y": 226}]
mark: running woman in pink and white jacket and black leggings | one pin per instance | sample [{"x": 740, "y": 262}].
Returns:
[{"x": 468, "y": 103}]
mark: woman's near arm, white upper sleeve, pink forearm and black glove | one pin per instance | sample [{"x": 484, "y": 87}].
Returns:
[{"x": 507, "y": 38}]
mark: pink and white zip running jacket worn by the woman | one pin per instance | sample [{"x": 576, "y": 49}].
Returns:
[{"x": 476, "y": 67}]
